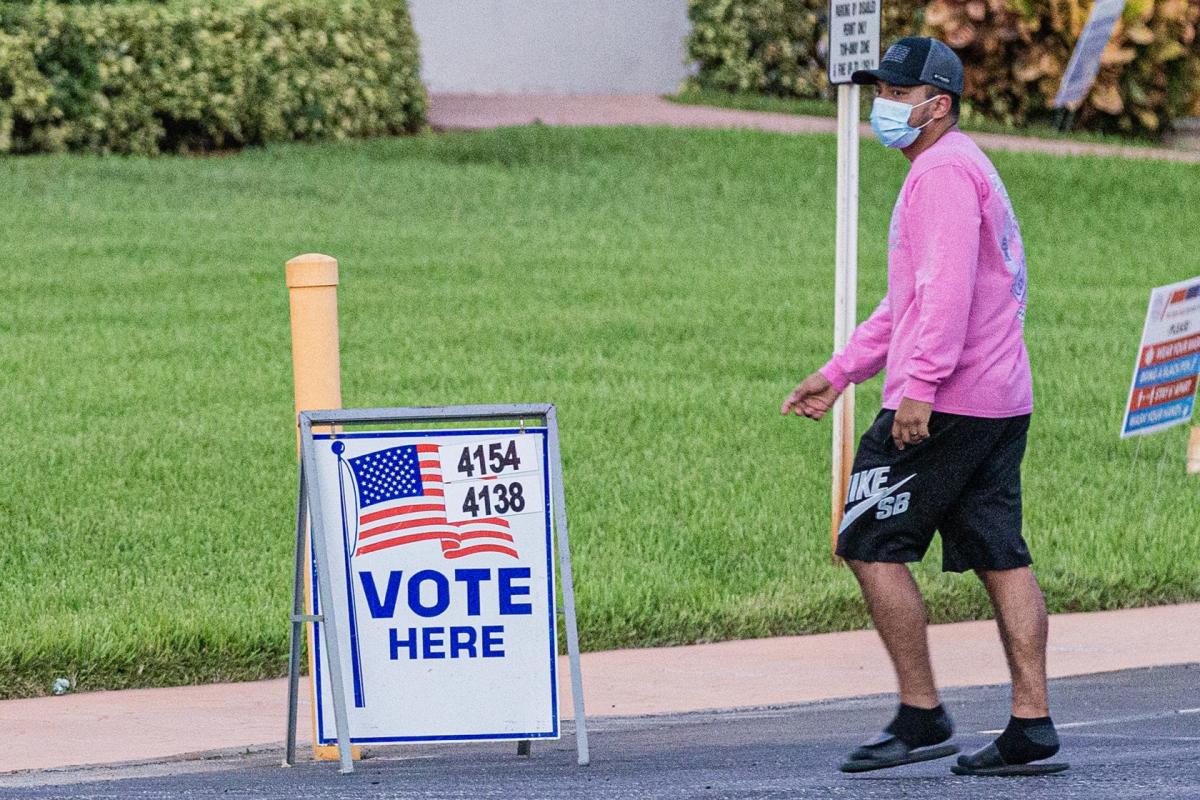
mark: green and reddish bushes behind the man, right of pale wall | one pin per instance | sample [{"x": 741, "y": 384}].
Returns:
[{"x": 1015, "y": 51}]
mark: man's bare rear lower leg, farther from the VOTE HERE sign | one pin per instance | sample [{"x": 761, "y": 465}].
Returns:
[{"x": 1022, "y": 618}]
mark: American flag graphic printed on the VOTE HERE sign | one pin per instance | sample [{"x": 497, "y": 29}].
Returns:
[{"x": 401, "y": 501}]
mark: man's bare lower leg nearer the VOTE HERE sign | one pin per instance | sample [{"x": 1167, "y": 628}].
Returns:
[{"x": 899, "y": 615}]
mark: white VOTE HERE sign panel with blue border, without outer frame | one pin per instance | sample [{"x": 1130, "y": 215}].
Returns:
[{"x": 443, "y": 585}]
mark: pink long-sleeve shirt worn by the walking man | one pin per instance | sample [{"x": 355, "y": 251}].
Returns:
[{"x": 951, "y": 329}]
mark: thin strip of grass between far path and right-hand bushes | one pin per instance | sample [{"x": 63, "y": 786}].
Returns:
[{"x": 752, "y": 103}]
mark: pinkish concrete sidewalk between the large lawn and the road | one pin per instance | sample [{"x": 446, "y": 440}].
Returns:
[{"x": 146, "y": 725}]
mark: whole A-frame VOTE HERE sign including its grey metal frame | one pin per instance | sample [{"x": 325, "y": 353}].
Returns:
[{"x": 434, "y": 561}]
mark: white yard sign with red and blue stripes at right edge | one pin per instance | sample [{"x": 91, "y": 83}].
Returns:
[{"x": 1165, "y": 380}]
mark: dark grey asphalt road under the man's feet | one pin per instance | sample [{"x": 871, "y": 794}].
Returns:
[{"x": 1127, "y": 736}]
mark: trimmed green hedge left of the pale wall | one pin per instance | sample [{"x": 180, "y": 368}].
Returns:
[{"x": 154, "y": 77}]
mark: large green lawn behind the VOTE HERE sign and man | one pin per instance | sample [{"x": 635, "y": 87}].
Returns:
[{"x": 665, "y": 288}]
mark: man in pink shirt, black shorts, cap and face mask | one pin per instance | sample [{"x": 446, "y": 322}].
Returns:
[{"x": 946, "y": 450}]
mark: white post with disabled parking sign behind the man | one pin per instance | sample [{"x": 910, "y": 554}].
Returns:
[{"x": 854, "y": 45}]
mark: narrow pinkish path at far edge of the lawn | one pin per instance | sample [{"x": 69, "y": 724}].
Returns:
[{"x": 477, "y": 112}]
